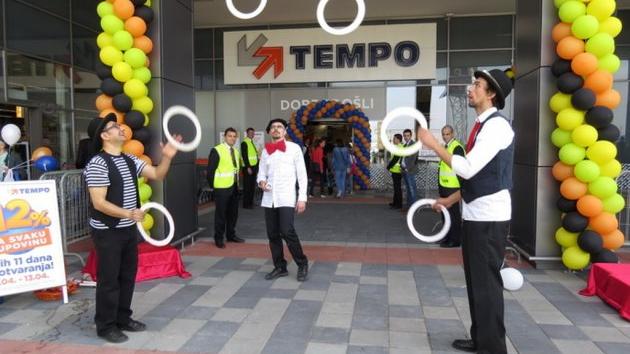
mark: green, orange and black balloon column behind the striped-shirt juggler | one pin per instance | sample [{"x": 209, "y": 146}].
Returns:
[{"x": 124, "y": 71}]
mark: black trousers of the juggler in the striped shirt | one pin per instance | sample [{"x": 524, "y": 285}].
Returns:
[{"x": 117, "y": 251}]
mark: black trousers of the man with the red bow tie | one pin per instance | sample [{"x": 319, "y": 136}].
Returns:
[{"x": 279, "y": 223}]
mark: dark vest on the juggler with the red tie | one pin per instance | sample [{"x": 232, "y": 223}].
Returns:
[{"x": 495, "y": 176}]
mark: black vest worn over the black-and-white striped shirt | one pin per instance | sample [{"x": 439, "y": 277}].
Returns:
[{"x": 115, "y": 191}]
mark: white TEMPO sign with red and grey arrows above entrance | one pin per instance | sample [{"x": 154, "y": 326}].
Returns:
[{"x": 371, "y": 53}]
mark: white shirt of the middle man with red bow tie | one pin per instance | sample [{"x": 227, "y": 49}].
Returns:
[{"x": 281, "y": 170}]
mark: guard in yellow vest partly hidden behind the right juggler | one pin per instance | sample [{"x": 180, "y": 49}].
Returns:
[{"x": 449, "y": 184}]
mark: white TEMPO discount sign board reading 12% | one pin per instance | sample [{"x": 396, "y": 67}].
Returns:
[{"x": 31, "y": 252}]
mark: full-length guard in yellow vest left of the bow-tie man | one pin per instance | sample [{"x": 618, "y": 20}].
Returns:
[{"x": 223, "y": 169}]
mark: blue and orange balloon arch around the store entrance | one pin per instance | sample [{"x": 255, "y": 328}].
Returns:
[{"x": 349, "y": 113}]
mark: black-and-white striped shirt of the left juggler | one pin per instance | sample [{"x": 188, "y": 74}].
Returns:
[{"x": 97, "y": 175}]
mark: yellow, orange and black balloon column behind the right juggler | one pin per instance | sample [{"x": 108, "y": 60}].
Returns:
[{"x": 585, "y": 135}]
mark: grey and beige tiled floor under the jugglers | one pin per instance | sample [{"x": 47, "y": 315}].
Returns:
[{"x": 362, "y": 296}]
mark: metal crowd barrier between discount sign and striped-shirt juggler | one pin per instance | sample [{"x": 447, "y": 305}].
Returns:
[{"x": 73, "y": 200}]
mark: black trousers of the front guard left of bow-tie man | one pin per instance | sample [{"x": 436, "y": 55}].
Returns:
[{"x": 225, "y": 212}]
